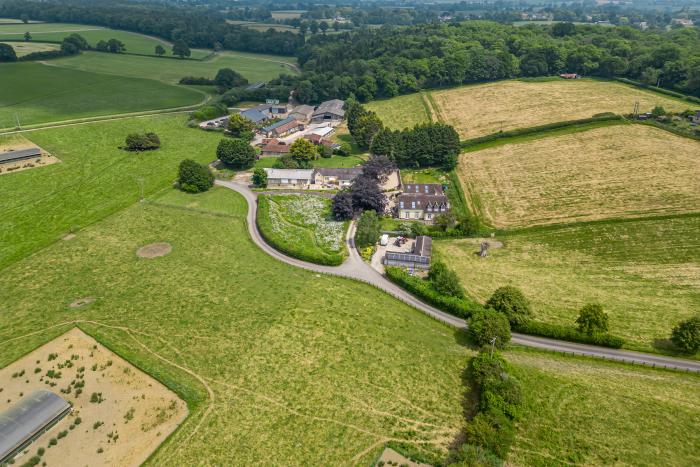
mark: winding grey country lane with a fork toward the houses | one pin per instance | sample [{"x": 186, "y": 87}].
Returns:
[{"x": 355, "y": 268}]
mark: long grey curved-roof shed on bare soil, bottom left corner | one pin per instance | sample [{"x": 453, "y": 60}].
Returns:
[{"x": 27, "y": 420}]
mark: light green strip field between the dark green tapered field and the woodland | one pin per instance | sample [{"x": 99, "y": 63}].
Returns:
[{"x": 254, "y": 67}]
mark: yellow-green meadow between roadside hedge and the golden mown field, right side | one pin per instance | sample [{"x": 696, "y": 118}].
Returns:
[{"x": 644, "y": 273}]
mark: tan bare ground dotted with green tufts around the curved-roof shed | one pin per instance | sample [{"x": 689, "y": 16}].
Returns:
[{"x": 124, "y": 413}]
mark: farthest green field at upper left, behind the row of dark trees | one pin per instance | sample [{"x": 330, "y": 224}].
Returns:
[{"x": 55, "y": 32}]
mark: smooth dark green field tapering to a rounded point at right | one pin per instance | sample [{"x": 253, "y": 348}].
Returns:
[{"x": 34, "y": 93}]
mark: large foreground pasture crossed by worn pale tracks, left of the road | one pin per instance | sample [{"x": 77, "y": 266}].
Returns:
[{"x": 276, "y": 363}]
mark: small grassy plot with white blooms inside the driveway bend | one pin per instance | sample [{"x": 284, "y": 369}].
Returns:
[{"x": 302, "y": 226}]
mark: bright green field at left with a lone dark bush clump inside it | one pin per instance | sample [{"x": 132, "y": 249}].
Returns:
[{"x": 94, "y": 178}]
